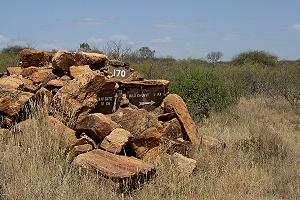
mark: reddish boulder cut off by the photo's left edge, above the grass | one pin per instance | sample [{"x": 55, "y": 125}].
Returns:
[{"x": 11, "y": 103}]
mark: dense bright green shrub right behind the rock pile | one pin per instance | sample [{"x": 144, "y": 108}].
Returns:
[{"x": 204, "y": 91}]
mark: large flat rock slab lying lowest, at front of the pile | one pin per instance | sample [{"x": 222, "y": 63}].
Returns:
[{"x": 112, "y": 165}]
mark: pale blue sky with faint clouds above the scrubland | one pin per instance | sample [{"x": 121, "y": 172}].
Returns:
[{"x": 177, "y": 28}]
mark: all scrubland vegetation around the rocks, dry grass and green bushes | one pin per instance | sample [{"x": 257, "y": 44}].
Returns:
[{"x": 251, "y": 103}]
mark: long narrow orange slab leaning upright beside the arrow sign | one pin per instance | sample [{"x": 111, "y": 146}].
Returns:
[{"x": 175, "y": 104}]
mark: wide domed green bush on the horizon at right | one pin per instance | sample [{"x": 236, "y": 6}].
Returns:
[{"x": 255, "y": 57}]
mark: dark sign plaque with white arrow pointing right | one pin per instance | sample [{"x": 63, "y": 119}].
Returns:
[{"x": 147, "y": 97}]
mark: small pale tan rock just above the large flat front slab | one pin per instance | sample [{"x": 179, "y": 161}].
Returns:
[{"x": 116, "y": 140}]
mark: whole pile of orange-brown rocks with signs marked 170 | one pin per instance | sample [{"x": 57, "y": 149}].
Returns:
[{"x": 123, "y": 124}]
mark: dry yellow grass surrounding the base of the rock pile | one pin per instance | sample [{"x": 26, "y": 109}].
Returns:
[{"x": 261, "y": 161}]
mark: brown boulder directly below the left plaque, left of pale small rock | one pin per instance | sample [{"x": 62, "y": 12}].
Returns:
[{"x": 97, "y": 126}]
